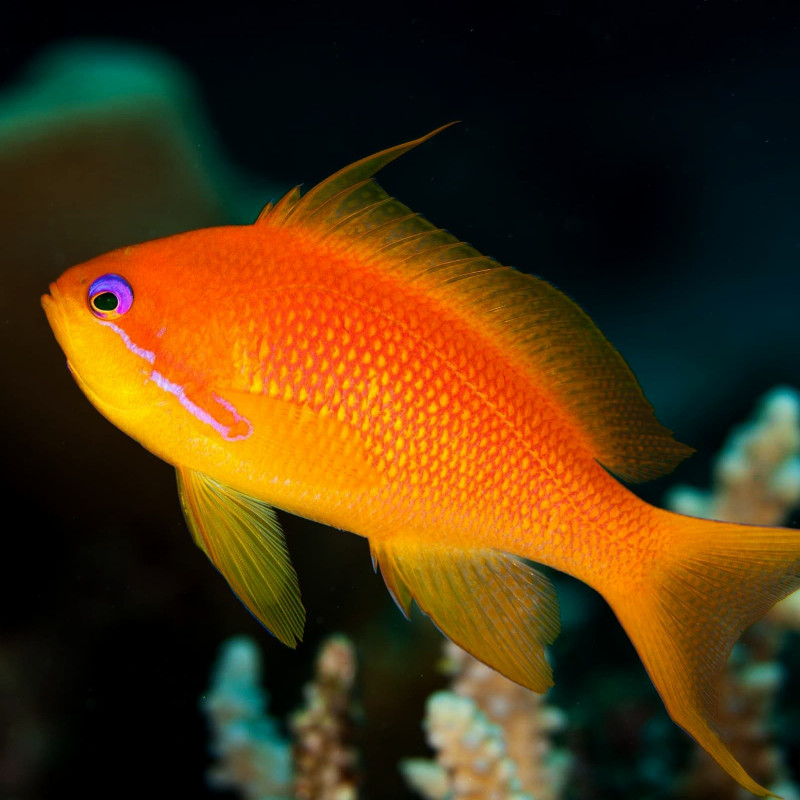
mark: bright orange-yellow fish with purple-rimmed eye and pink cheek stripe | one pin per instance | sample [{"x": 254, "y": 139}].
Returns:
[{"x": 347, "y": 361}]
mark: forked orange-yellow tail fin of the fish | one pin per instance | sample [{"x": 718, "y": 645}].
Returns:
[{"x": 716, "y": 579}]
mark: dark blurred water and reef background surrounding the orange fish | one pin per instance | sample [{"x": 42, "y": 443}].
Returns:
[{"x": 644, "y": 158}]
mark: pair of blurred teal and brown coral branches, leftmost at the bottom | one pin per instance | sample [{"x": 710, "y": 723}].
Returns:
[{"x": 251, "y": 754}]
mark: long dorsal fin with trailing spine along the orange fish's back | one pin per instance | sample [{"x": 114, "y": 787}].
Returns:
[{"x": 546, "y": 333}]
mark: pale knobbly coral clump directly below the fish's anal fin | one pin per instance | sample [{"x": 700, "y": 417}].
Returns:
[{"x": 492, "y": 737}]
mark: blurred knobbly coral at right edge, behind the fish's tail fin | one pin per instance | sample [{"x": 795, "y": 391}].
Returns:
[{"x": 756, "y": 480}]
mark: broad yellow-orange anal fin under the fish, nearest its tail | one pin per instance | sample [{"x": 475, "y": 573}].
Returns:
[{"x": 491, "y": 604}]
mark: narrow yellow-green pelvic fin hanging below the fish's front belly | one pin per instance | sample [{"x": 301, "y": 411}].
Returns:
[{"x": 243, "y": 539}]
